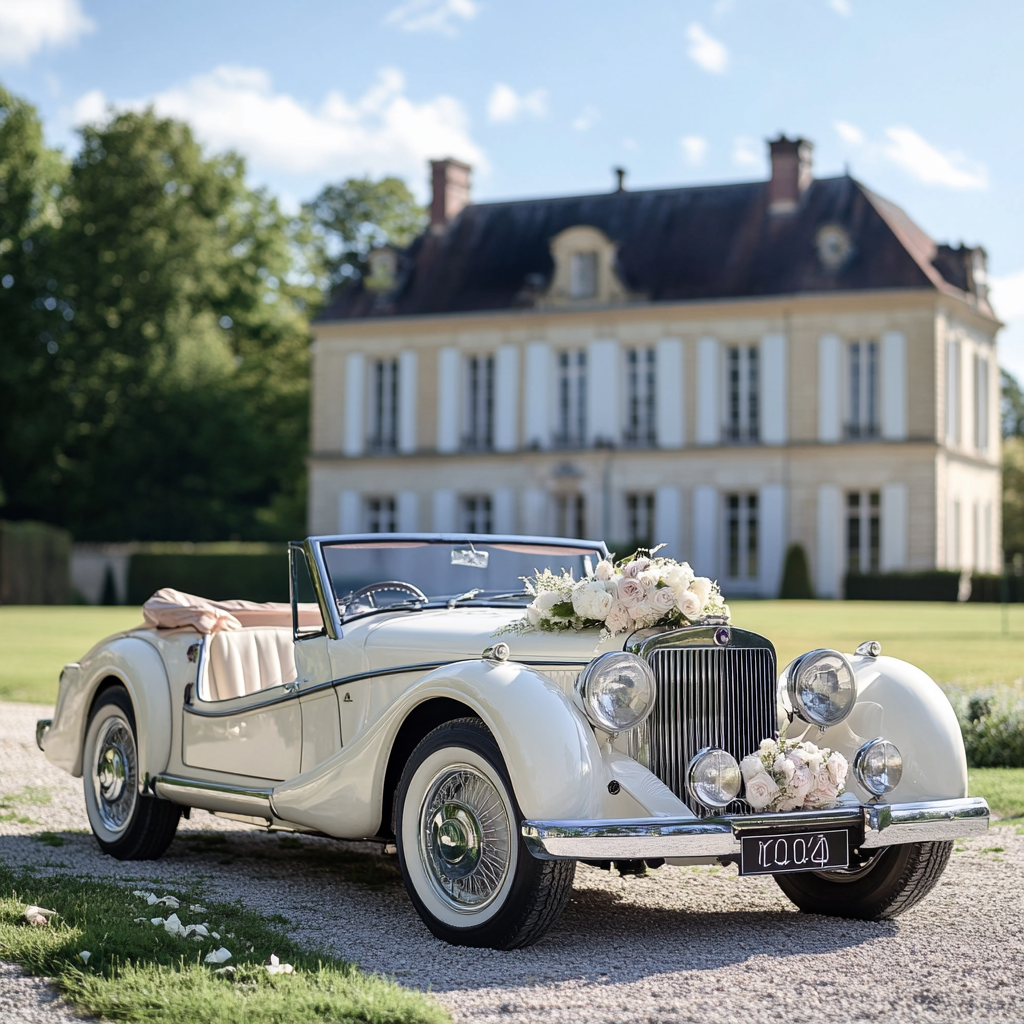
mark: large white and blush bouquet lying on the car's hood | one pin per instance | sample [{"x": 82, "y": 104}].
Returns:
[{"x": 633, "y": 593}]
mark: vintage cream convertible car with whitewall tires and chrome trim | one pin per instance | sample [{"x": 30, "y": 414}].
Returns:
[{"x": 382, "y": 706}]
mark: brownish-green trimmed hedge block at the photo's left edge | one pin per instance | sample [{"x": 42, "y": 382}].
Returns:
[{"x": 35, "y": 564}]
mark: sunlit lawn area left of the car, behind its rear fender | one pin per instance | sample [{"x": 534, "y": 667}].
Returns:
[{"x": 37, "y": 643}]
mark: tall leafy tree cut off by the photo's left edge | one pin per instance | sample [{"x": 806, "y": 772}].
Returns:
[{"x": 30, "y": 315}]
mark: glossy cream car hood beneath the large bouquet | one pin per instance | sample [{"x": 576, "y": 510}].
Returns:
[{"x": 443, "y": 635}]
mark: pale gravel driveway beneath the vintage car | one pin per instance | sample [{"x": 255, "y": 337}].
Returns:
[{"x": 682, "y": 945}]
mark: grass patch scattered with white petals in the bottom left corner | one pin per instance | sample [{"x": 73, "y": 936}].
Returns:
[{"x": 139, "y": 972}]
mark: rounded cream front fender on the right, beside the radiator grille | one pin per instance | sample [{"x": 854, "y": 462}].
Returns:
[{"x": 899, "y": 702}]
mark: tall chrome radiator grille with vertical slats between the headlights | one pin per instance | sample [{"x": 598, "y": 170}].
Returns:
[{"x": 707, "y": 697}]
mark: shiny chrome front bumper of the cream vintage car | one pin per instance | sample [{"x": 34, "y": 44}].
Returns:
[{"x": 638, "y": 839}]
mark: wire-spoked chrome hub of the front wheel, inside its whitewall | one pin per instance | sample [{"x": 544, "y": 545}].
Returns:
[{"x": 465, "y": 838}]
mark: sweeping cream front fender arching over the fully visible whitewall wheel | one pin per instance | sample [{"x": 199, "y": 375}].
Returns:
[{"x": 550, "y": 750}]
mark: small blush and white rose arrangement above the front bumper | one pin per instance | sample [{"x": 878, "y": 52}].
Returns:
[{"x": 787, "y": 776}]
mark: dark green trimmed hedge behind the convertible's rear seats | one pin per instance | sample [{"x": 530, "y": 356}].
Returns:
[{"x": 259, "y": 575}]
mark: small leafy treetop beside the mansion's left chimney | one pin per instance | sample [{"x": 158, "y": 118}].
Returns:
[{"x": 359, "y": 216}]
